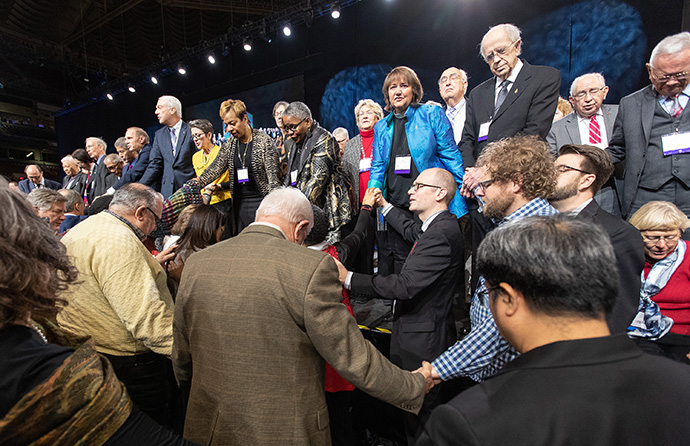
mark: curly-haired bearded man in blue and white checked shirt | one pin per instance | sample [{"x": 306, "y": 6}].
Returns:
[{"x": 517, "y": 174}]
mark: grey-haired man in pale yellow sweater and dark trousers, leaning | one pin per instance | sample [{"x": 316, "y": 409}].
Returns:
[{"x": 122, "y": 299}]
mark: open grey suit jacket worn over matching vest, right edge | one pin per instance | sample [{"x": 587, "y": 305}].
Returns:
[{"x": 630, "y": 141}]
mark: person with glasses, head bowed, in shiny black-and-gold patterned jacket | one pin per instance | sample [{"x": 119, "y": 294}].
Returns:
[{"x": 314, "y": 166}]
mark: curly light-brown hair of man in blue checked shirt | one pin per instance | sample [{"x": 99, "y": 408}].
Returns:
[{"x": 525, "y": 160}]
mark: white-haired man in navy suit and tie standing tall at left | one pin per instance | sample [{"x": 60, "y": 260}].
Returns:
[{"x": 171, "y": 154}]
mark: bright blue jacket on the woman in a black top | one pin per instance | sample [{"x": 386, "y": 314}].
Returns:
[{"x": 431, "y": 143}]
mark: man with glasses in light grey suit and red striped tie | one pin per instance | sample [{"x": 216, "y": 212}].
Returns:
[{"x": 591, "y": 123}]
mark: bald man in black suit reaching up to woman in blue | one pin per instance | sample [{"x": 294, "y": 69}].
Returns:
[{"x": 423, "y": 323}]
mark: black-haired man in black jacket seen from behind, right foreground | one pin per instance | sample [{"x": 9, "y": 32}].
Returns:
[{"x": 574, "y": 383}]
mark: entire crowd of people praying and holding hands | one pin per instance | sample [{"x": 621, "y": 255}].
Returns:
[{"x": 187, "y": 292}]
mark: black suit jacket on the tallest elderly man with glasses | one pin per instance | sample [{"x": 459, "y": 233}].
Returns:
[{"x": 528, "y": 109}]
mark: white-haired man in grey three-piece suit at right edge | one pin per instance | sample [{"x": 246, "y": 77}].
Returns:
[{"x": 652, "y": 132}]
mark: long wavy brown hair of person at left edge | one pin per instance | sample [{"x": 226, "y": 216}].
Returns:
[{"x": 34, "y": 267}]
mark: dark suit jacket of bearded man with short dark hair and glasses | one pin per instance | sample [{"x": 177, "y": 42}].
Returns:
[{"x": 629, "y": 249}]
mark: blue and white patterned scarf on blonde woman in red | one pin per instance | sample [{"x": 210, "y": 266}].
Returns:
[{"x": 649, "y": 322}]
